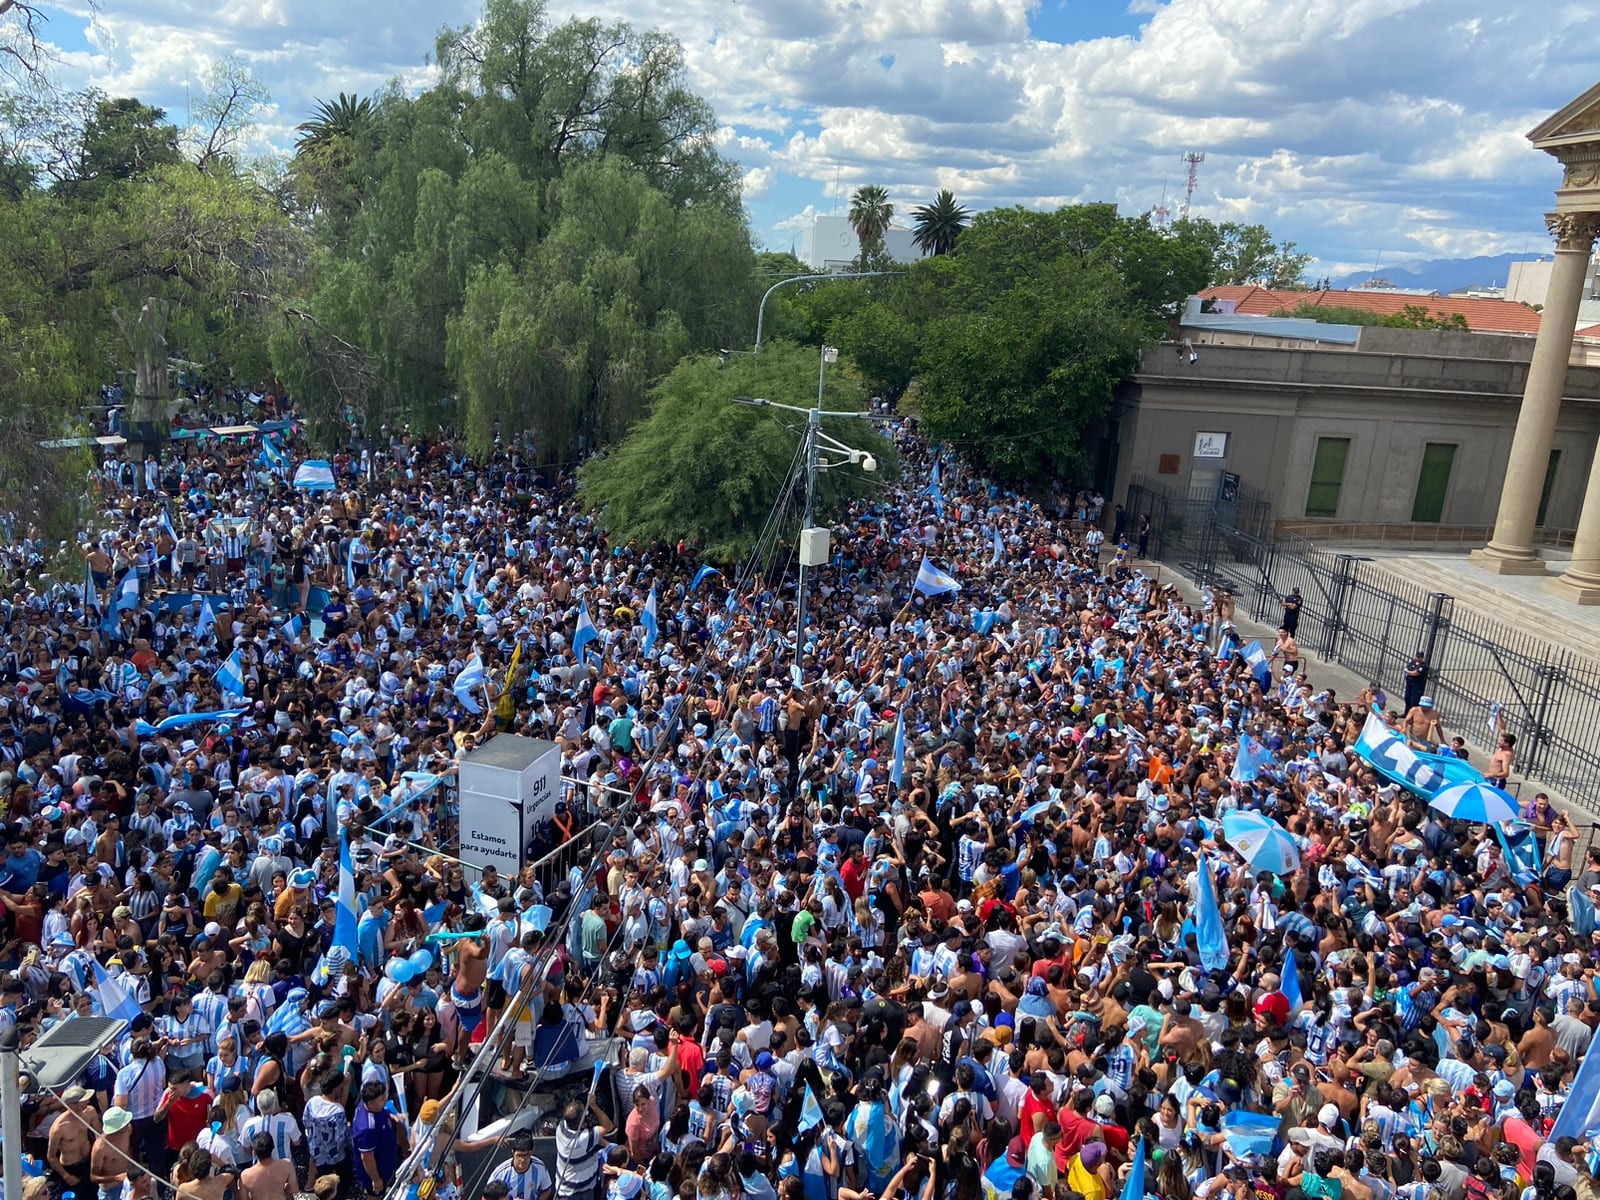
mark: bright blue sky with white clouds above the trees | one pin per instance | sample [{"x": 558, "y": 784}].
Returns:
[{"x": 1359, "y": 129}]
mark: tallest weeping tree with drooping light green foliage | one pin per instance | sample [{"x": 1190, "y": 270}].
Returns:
[{"x": 532, "y": 241}]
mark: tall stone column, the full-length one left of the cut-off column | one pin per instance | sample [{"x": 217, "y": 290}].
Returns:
[{"x": 1511, "y": 548}]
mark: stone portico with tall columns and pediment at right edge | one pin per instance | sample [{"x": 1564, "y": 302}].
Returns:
[{"x": 1572, "y": 137}]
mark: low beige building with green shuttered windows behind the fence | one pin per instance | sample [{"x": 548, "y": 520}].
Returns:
[{"x": 1404, "y": 428}]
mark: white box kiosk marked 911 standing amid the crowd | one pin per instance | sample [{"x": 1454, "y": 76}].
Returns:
[{"x": 506, "y": 788}]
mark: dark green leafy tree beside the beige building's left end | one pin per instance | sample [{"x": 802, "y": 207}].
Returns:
[{"x": 1010, "y": 346}]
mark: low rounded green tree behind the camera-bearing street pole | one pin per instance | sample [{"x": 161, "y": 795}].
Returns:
[{"x": 708, "y": 470}]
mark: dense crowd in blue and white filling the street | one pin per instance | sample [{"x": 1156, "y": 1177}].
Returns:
[{"x": 906, "y": 913}]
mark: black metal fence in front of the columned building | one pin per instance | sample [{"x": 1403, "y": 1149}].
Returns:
[{"x": 1372, "y": 623}]
